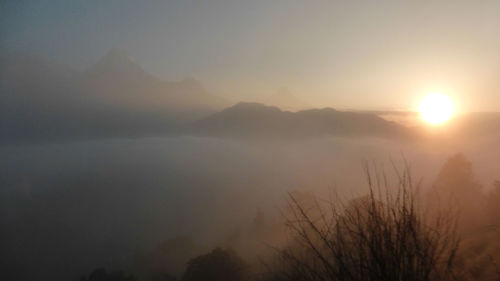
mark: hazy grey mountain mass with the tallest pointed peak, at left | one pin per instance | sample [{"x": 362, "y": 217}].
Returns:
[{"x": 116, "y": 97}]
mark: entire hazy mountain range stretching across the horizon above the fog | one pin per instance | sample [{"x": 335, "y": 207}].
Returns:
[{"x": 41, "y": 101}]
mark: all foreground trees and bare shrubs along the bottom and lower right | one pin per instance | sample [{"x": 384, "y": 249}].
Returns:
[{"x": 392, "y": 233}]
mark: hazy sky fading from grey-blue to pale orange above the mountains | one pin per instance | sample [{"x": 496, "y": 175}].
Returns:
[{"x": 346, "y": 54}]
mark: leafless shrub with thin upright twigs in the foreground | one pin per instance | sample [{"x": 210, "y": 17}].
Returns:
[{"x": 381, "y": 236}]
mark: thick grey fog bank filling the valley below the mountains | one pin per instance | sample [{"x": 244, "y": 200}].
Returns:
[{"x": 102, "y": 202}]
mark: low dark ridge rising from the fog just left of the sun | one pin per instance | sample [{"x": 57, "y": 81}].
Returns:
[{"x": 254, "y": 120}]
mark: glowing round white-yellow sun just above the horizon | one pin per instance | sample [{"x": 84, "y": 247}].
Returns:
[{"x": 436, "y": 108}]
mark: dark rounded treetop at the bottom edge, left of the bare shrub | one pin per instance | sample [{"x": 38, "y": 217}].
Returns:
[{"x": 219, "y": 265}]
